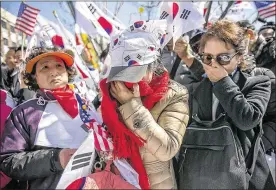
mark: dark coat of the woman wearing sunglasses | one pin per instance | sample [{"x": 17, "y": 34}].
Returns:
[{"x": 244, "y": 99}]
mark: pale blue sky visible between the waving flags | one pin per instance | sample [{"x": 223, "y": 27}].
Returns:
[{"x": 128, "y": 12}]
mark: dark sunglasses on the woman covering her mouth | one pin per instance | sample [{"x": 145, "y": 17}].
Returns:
[{"x": 222, "y": 59}]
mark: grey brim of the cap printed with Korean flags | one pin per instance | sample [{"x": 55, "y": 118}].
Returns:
[{"x": 132, "y": 74}]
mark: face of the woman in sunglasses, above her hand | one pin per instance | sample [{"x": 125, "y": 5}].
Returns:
[{"x": 215, "y": 47}]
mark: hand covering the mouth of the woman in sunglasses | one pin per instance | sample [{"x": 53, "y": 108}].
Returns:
[{"x": 215, "y": 71}]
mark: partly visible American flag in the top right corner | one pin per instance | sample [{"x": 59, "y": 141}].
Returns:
[{"x": 266, "y": 8}]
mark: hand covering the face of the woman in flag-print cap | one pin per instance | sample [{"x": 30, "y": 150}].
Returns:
[{"x": 119, "y": 91}]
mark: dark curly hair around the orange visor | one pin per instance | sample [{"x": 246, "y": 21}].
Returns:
[{"x": 29, "y": 78}]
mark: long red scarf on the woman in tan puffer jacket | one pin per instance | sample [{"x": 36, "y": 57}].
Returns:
[{"x": 126, "y": 144}]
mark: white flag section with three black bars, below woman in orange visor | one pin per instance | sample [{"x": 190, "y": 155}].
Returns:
[{"x": 80, "y": 164}]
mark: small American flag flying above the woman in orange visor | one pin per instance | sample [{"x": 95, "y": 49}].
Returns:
[{"x": 26, "y": 19}]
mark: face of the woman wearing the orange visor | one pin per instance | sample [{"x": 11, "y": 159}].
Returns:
[{"x": 51, "y": 73}]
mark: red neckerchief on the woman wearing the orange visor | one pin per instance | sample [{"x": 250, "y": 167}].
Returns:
[{"x": 67, "y": 100}]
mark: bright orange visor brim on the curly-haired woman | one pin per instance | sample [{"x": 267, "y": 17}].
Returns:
[{"x": 68, "y": 59}]
